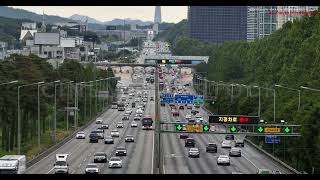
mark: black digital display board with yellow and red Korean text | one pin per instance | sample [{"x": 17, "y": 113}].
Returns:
[{"x": 233, "y": 119}]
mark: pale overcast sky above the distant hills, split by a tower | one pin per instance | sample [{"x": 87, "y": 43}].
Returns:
[{"x": 107, "y": 13}]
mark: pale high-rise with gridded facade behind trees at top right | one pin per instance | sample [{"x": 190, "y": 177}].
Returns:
[{"x": 264, "y": 20}]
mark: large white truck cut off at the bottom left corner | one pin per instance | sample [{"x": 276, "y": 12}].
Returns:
[{"x": 13, "y": 164}]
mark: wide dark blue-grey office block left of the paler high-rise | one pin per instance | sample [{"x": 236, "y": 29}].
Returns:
[{"x": 217, "y": 23}]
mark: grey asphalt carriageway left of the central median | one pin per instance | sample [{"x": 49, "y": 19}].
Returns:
[{"x": 139, "y": 154}]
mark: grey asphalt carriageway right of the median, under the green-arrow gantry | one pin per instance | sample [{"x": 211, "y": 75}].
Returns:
[{"x": 176, "y": 160}]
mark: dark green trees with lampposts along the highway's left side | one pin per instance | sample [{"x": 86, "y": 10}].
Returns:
[{"x": 32, "y": 69}]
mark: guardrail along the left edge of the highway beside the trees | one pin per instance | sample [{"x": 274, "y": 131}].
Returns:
[{"x": 65, "y": 140}]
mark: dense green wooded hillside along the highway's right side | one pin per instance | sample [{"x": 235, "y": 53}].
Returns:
[{"x": 289, "y": 57}]
